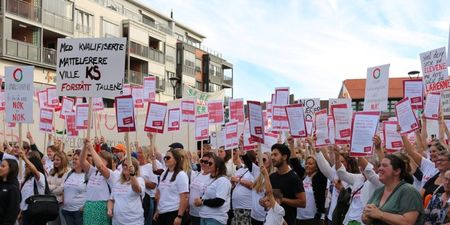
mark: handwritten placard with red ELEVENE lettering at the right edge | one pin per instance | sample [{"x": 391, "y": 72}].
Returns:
[{"x": 434, "y": 70}]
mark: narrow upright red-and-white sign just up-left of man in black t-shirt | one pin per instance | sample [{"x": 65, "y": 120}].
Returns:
[{"x": 256, "y": 121}]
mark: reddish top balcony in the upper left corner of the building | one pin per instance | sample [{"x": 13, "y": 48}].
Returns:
[{"x": 24, "y": 9}]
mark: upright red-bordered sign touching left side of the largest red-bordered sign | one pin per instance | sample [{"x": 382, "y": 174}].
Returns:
[{"x": 342, "y": 116}]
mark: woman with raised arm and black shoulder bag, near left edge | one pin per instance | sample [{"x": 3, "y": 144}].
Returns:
[{"x": 34, "y": 175}]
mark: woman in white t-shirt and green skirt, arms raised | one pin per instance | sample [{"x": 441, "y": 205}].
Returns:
[{"x": 99, "y": 184}]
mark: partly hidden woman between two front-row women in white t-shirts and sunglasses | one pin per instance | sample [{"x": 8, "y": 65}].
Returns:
[{"x": 199, "y": 182}]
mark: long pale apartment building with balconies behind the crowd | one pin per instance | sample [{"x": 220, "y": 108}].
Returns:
[{"x": 159, "y": 46}]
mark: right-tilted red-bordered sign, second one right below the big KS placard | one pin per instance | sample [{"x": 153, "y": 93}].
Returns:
[{"x": 156, "y": 115}]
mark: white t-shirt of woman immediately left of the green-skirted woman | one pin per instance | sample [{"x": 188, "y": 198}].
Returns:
[{"x": 74, "y": 192}]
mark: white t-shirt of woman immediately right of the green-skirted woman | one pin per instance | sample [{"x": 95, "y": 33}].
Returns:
[{"x": 127, "y": 203}]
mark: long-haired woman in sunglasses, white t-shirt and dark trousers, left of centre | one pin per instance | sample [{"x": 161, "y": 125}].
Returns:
[{"x": 172, "y": 195}]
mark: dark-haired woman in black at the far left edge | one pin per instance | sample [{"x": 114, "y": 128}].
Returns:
[{"x": 9, "y": 192}]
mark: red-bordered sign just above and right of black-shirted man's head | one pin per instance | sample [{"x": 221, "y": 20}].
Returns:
[{"x": 296, "y": 119}]
